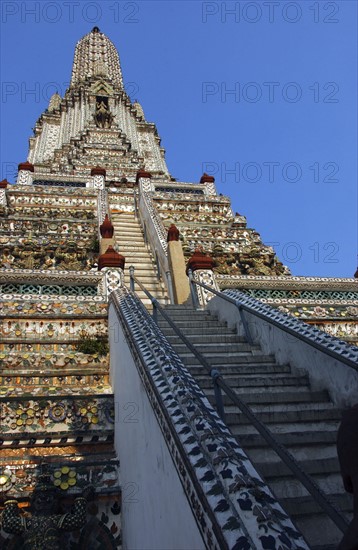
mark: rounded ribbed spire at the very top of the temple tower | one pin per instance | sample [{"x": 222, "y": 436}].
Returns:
[{"x": 96, "y": 56}]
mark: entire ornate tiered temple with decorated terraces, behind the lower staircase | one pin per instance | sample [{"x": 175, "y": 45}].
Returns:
[{"x": 93, "y": 198}]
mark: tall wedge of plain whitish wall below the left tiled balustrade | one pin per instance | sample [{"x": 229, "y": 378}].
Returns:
[{"x": 155, "y": 511}]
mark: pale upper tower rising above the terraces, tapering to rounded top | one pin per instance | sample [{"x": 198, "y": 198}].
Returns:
[{"x": 96, "y": 123}]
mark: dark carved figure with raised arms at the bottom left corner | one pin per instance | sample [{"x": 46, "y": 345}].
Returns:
[{"x": 42, "y": 531}]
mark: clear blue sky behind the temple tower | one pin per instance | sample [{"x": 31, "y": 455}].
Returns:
[{"x": 261, "y": 94}]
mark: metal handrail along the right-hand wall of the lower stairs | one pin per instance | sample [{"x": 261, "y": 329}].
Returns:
[{"x": 244, "y": 307}]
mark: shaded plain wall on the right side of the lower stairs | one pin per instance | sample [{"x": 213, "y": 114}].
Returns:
[{"x": 325, "y": 372}]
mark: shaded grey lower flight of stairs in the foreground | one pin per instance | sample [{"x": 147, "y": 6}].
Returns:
[{"x": 304, "y": 421}]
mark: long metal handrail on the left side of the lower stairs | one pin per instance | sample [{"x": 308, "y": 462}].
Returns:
[{"x": 312, "y": 487}]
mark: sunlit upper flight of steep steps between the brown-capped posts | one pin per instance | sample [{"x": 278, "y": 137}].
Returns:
[{"x": 130, "y": 243}]
